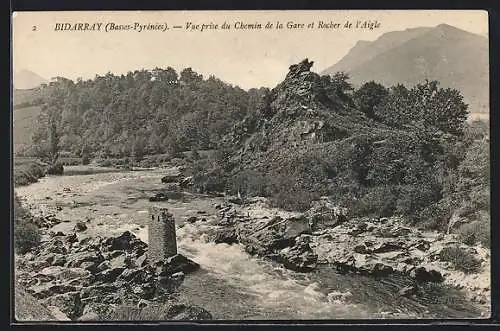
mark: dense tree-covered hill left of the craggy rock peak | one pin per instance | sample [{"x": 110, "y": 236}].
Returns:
[{"x": 141, "y": 113}]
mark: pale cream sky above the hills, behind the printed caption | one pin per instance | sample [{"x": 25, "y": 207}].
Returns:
[{"x": 244, "y": 57}]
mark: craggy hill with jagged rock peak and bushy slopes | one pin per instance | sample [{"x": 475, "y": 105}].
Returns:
[{"x": 311, "y": 140}]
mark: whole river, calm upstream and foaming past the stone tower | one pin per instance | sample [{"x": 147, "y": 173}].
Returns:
[{"x": 231, "y": 284}]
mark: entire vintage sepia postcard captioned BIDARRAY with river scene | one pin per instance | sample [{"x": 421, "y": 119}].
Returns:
[{"x": 251, "y": 165}]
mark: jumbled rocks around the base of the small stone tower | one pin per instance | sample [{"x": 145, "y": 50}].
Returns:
[{"x": 86, "y": 278}]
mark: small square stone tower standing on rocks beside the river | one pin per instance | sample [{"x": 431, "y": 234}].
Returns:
[{"x": 161, "y": 235}]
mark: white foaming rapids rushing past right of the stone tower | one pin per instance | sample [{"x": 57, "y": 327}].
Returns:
[{"x": 271, "y": 290}]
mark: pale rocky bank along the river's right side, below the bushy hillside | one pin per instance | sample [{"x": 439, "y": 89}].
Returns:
[{"x": 377, "y": 247}]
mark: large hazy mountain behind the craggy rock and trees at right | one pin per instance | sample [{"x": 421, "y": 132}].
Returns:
[{"x": 456, "y": 58}]
